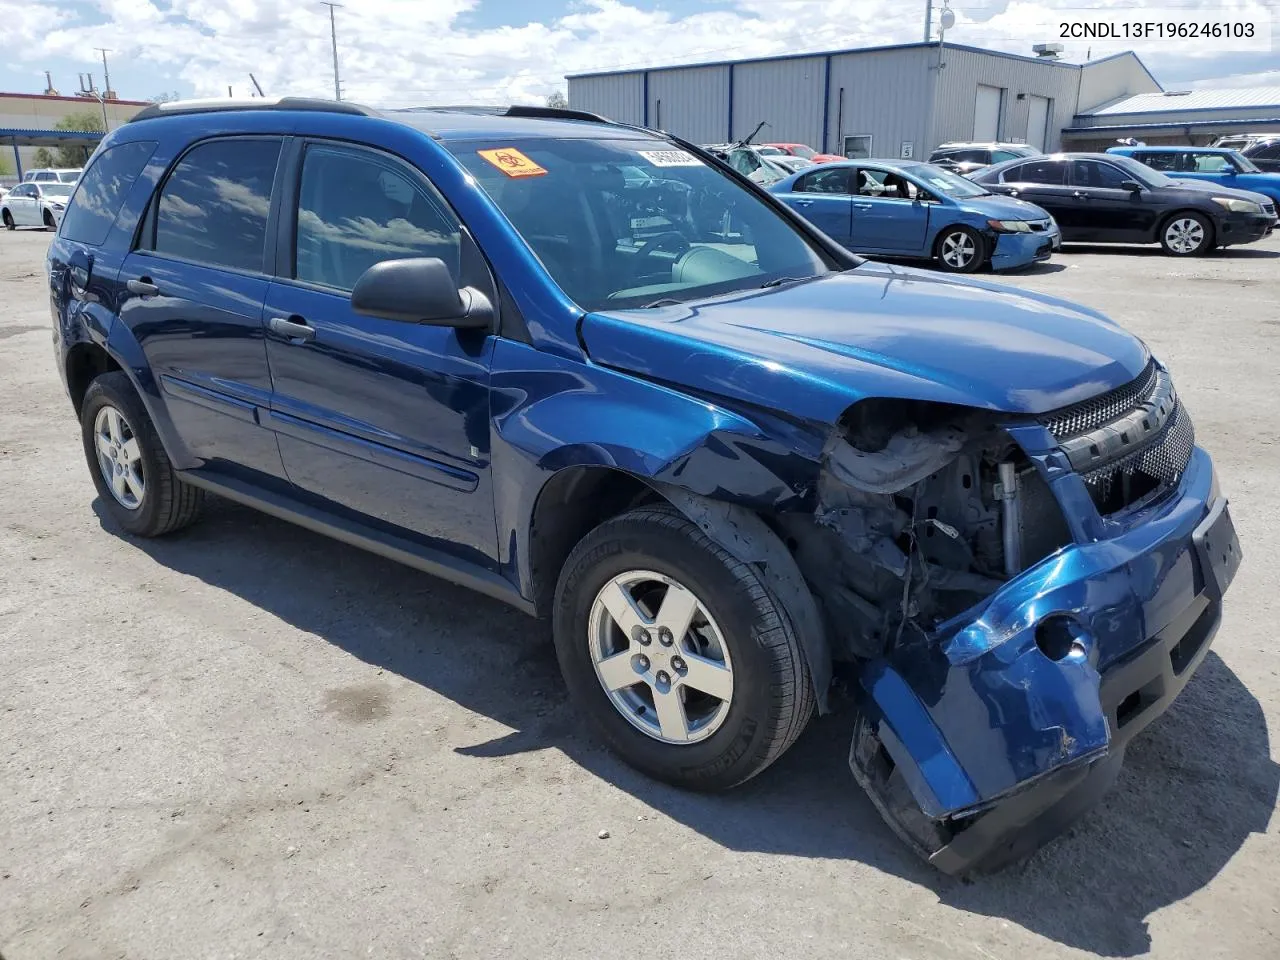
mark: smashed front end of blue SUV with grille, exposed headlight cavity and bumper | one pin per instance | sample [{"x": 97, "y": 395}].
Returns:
[{"x": 1020, "y": 597}]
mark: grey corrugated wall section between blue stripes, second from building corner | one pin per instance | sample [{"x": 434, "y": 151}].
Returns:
[{"x": 785, "y": 93}]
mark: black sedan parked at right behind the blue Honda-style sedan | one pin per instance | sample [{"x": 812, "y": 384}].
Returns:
[{"x": 1110, "y": 199}]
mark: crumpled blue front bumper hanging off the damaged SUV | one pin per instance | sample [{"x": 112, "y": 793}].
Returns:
[{"x": 980, "y": 746}]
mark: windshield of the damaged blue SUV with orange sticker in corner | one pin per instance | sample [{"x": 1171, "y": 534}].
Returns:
[{"x": 612, "y": 239}]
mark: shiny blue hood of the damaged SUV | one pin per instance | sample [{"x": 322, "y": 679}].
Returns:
[{"x": 813, "y": 349}]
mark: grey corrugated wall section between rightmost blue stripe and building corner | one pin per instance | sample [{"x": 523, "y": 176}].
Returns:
[{"x": 886, "y": 95}]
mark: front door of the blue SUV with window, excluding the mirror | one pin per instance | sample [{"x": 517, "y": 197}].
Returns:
[{"x": 382, "y": 418}]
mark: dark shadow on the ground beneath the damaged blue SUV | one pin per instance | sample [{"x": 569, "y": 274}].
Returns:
[{"x": 1195, "y": 787}]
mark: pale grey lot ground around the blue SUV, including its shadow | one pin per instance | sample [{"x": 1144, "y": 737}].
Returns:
[{"x": 250, "y": 742}]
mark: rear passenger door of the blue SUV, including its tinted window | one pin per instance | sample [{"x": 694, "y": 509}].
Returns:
[{"x": 195, "y": 290}]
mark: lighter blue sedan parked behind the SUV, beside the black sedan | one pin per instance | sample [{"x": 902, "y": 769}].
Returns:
[{"x": 904, "y": 209}]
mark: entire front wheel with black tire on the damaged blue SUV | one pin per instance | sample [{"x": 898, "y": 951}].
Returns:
[{"x": 729, "y": 739}]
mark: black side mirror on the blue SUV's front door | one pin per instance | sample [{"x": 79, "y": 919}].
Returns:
[{"x": 419, "y": 291}]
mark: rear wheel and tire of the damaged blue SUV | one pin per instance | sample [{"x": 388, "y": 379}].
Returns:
[{"x": 150, "y": 500}]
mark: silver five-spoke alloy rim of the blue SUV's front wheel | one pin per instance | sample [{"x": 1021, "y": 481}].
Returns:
[{"x": 661, "y": 657}]
